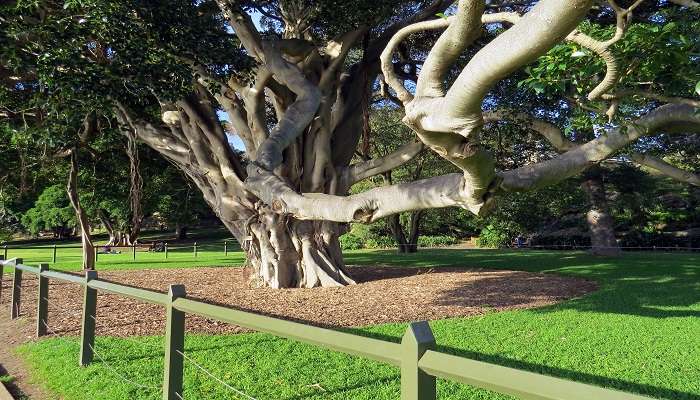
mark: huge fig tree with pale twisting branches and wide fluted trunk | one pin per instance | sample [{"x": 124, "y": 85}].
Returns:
[{"x": 293, "y": 80}]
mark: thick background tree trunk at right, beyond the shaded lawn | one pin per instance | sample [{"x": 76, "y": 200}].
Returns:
[{"x": 600, "y": 222}]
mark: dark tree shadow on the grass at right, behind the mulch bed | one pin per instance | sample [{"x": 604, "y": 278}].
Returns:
[{"x": 657, "y": 285}]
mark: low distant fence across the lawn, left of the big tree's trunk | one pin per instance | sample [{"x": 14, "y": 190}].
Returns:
[{"x": 225, "y": 247}]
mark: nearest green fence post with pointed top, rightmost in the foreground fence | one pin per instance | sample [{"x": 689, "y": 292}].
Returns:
[{"x": 416, "y": 384}]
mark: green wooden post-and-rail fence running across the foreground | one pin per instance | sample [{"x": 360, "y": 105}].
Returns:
[{"x": 416, "y": 356}]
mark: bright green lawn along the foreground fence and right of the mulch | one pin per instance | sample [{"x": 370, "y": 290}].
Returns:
[{"x": 640, "y": 333}]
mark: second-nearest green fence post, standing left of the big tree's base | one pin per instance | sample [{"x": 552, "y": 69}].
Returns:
[{"x": 174, "y": 346}]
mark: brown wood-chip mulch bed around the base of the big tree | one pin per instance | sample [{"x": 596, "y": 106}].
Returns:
[{"x": 383, "y": 295}]
